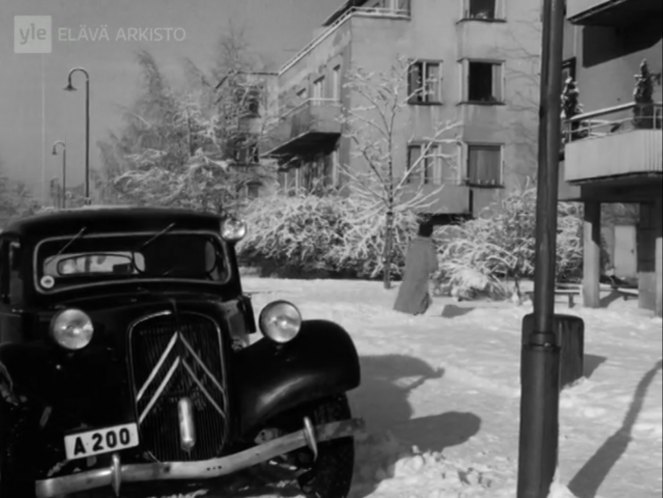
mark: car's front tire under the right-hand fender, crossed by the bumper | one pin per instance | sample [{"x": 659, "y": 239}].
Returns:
[{"x": 331, "y": 474}]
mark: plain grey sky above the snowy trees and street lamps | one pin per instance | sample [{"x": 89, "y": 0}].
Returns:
[{"x": 35, "y": 111}]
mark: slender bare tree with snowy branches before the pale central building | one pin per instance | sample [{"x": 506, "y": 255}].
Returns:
[{"x": 374, "y": 122}]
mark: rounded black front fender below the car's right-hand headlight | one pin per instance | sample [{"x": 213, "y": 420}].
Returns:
[{"x": 321, "y": 361}]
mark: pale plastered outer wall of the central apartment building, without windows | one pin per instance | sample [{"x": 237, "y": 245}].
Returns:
[{"x": 436, "y": 32}]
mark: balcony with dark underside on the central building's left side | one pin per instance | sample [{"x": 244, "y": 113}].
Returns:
[{"x": 313, "y": 125}]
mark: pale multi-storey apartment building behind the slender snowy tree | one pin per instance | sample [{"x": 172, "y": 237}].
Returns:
[{"x": 480, "y": 61}]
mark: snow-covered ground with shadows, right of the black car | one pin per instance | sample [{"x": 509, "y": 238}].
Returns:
[{"x": 440, "y": 394}]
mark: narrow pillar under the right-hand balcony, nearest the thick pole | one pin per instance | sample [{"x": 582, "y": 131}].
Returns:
[{"x": 591, "y": 254}]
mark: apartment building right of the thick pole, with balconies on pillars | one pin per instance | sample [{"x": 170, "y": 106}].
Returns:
[{"x": 614, "y": 148}]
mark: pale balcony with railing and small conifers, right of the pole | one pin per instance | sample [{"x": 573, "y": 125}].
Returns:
[{"x": 620, "y": 141}]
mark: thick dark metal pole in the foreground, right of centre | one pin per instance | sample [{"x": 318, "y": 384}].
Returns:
[{"x": 539, "y": 408}]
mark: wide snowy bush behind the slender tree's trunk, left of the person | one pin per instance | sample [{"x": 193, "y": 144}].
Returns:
[{"x": 309, "y": 235}]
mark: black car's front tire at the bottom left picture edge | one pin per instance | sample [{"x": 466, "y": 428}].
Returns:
[{"x": 15, "y": 480}]
